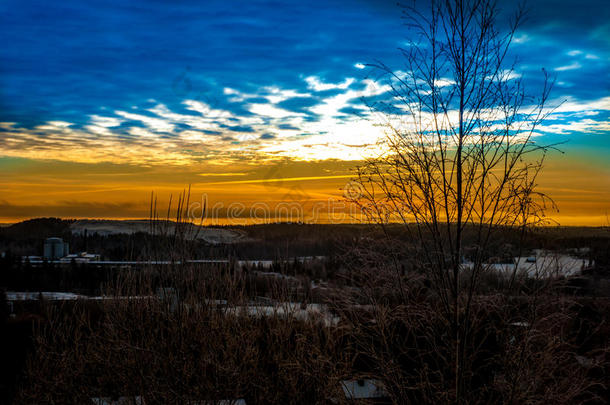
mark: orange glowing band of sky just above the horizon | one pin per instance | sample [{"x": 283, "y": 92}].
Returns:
[{"x": 307, "y": 191}]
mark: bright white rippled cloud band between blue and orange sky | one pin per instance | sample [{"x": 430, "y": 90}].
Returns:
[{"x": 333, "y": 123}]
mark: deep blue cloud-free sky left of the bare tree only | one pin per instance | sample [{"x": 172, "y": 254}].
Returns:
[{"x": 67, "y": 59}]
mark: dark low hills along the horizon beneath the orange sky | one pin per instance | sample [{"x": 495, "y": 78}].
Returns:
[{"x": 40, "y": 228}]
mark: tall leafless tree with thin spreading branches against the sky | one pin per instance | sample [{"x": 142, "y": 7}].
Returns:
[{"x": 459, "y": 161}]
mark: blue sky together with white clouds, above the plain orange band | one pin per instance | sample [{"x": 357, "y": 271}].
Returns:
[{"x": 184, "y": 83}]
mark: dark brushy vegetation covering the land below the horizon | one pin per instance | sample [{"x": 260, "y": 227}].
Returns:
[{"x": 294, "y": 332}]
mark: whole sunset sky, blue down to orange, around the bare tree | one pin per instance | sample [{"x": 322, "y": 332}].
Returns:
[{"x": 252, "y": 104}]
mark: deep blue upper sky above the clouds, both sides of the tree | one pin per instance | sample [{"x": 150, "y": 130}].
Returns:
[{"x": 67, "y": 60}]
